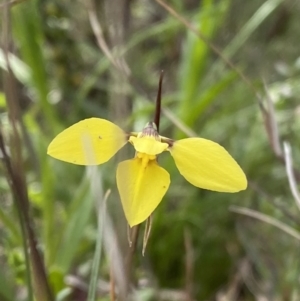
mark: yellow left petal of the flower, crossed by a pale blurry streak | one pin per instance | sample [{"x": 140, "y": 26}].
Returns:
[{"x": 89, "y": 142}]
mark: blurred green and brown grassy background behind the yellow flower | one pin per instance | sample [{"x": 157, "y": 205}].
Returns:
[{"x": 64, "y": 61}]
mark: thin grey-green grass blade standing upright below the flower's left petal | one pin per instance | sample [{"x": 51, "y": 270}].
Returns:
[{"x": 97, "y": 256}]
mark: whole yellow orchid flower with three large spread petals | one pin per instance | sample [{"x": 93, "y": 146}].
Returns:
[{"x": 141, "y": 182}]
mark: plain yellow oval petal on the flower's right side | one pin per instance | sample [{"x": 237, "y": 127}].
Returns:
[{"x": 208, "y": 165}]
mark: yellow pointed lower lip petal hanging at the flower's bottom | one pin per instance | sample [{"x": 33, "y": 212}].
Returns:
[{"x": 141, "y": 188}]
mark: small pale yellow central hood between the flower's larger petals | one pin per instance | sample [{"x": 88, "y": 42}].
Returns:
[{"x": 148, "y": 145}]
